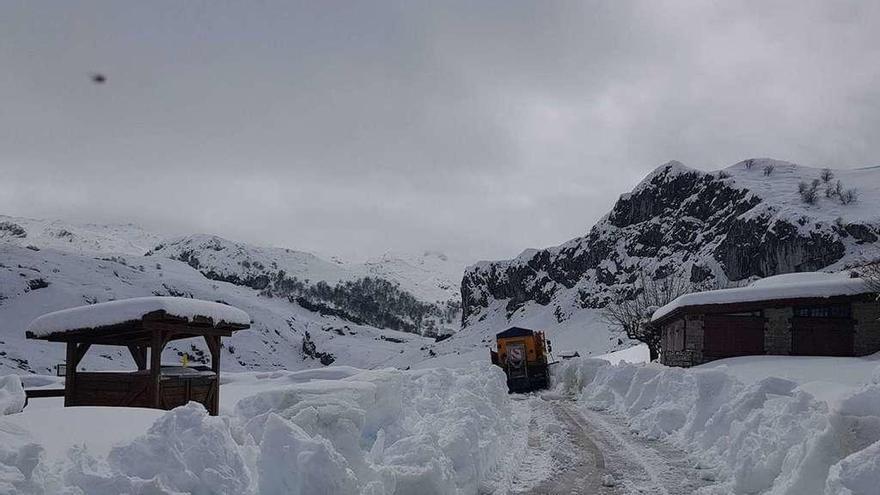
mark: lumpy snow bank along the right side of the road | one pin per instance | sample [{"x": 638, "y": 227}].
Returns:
[{"x": 765, "y": 437}]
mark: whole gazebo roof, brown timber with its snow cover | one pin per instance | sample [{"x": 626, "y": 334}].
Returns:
[{"x": 132, "y": 321}]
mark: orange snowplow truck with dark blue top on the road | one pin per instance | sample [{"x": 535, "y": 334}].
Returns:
[{"x": 522, "y": 354}]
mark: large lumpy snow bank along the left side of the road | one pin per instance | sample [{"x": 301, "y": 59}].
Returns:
[{"x": 372, "y": 432}]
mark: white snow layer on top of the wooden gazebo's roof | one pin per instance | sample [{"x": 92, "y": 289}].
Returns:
[{"x": 125, "y": 310}]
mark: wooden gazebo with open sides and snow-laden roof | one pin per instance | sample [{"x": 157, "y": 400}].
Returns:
[{"x": 141, "y": 324}]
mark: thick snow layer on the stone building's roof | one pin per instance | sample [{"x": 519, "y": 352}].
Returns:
[{"x": 788, "y": 286}]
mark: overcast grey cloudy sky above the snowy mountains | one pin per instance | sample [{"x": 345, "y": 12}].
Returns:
[{"x": 353, "y": 128}]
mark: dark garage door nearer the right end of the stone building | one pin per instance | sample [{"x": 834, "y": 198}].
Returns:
[{"x": 821, "y": 336}]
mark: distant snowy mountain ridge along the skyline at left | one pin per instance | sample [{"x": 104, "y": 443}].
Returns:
[{"x": 430, "y": 276}]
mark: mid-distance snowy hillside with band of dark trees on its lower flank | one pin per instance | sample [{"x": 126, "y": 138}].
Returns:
[{"x": 387, "y": 293}]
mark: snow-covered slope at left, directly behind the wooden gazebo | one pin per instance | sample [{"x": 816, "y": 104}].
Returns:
[{"x": 283, "y": 334}]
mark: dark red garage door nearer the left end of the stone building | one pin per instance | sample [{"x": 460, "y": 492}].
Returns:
[{"x": 729, "y": 336}]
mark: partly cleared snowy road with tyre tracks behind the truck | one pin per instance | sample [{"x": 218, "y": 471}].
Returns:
[{"x": 580, "y": 452}]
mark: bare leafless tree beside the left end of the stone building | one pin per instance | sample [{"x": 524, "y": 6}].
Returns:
[{"x": 631, "y": 312}]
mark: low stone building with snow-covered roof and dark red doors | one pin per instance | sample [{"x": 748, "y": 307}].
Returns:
[{"x": 801, "y": 314}]
